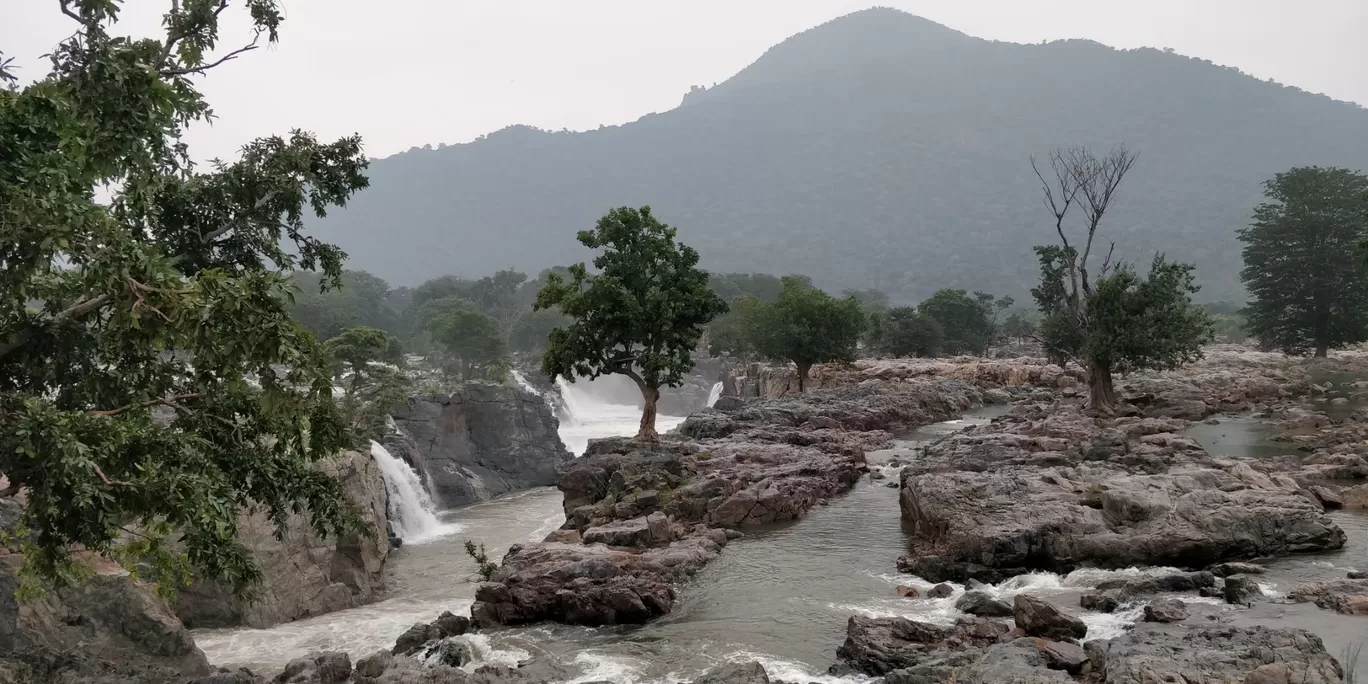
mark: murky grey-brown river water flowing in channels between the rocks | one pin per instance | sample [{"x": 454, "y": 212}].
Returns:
[{"x": 780, "y": 596}]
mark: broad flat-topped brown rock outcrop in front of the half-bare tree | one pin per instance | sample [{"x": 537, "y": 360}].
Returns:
[{"x": 1051, "y": 489}]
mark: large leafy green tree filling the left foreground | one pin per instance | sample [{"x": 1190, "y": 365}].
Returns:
[{"x": 168, "y": 299}]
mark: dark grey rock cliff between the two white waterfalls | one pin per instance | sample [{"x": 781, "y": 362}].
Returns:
[{"x": 479, "y": 443}]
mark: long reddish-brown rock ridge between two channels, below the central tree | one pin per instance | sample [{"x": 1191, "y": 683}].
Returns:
[{"x": 642, "y": 518}]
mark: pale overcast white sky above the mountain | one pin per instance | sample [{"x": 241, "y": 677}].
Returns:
[{"x": 407, "y": 73}]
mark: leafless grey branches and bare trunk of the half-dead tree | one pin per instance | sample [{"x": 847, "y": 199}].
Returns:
[{"x": 1080, "y": 179}]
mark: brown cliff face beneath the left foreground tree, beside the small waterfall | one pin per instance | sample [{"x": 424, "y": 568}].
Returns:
[{"x": 304, "y": 575}]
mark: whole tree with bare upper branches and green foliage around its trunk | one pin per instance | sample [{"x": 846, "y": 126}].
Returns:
[{"x": 1117, "y": 321}]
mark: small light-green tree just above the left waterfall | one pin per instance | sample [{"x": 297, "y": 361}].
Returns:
[{"x": 369, "y": 366}]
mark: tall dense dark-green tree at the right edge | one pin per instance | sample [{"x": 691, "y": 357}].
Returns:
[{"x": 1308, "y": 288}]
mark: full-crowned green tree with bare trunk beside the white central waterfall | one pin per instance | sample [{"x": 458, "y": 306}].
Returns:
[{"x": 641, "y": 315}]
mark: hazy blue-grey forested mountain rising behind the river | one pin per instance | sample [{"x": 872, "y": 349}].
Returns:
[{"x": 876, "y": 151}]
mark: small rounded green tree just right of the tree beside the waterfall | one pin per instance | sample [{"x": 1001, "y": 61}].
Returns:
[{"x": 805, "y": 326}]
